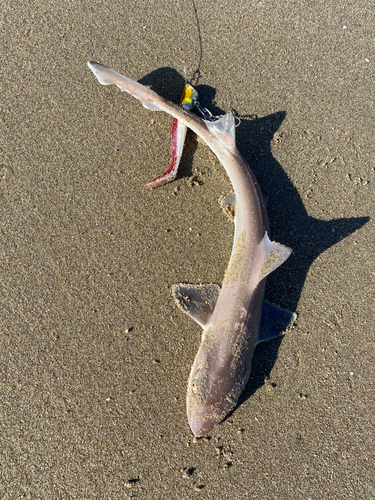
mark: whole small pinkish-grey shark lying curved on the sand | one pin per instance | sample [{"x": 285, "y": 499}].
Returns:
[{"x": 231, "y": 316}]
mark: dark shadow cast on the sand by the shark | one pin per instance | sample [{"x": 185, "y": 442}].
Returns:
[{"x": 290, "y": 223}]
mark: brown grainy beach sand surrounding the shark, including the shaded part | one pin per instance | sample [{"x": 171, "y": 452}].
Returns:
[{"x": 94, "y": 354}]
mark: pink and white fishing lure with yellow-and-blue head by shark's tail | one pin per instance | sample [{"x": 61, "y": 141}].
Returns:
[{"x": 188, "y": 99}]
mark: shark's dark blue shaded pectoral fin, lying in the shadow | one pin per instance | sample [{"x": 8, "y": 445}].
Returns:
[{"x": 274, "y": 321}]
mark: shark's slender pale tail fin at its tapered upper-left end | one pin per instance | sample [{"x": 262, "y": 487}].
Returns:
[{"x": 107, "y": 76}]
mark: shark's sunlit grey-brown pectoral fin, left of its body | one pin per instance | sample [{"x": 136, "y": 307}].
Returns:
[{"x": 198, "y": 301}]
